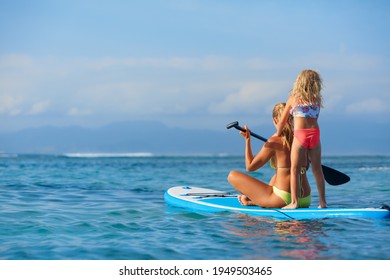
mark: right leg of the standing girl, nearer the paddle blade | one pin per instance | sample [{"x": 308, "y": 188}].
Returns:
[{"x": 315, "y": 156}]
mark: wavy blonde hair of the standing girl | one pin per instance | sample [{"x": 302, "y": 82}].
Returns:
[{"x": 307, "y": 87}]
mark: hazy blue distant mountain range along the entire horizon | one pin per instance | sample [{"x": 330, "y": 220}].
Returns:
[{"x": 338, "y": 138}]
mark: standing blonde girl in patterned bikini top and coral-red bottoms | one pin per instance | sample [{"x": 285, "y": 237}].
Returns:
[{"x": 304, "y": 105}]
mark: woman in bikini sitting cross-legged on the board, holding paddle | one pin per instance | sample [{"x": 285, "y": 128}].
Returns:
[{"x": 276, "y": 194}]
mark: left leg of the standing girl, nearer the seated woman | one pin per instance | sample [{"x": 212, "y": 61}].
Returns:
[{"x": 298, "y": 155}]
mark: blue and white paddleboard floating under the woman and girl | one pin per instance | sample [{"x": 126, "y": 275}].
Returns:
[{"x": 208, "y": 200}]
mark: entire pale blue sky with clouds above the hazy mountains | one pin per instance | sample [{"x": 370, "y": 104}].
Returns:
[{"x": 191, "y": 63}]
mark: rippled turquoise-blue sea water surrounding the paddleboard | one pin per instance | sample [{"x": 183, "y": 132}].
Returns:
[{"x": 58, "y": 207}]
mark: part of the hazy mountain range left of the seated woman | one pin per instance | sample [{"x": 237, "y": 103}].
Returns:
[{"x": 121, "y": 137}]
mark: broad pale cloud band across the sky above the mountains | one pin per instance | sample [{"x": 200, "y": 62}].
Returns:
[{"x": 177, "y": 87}]
